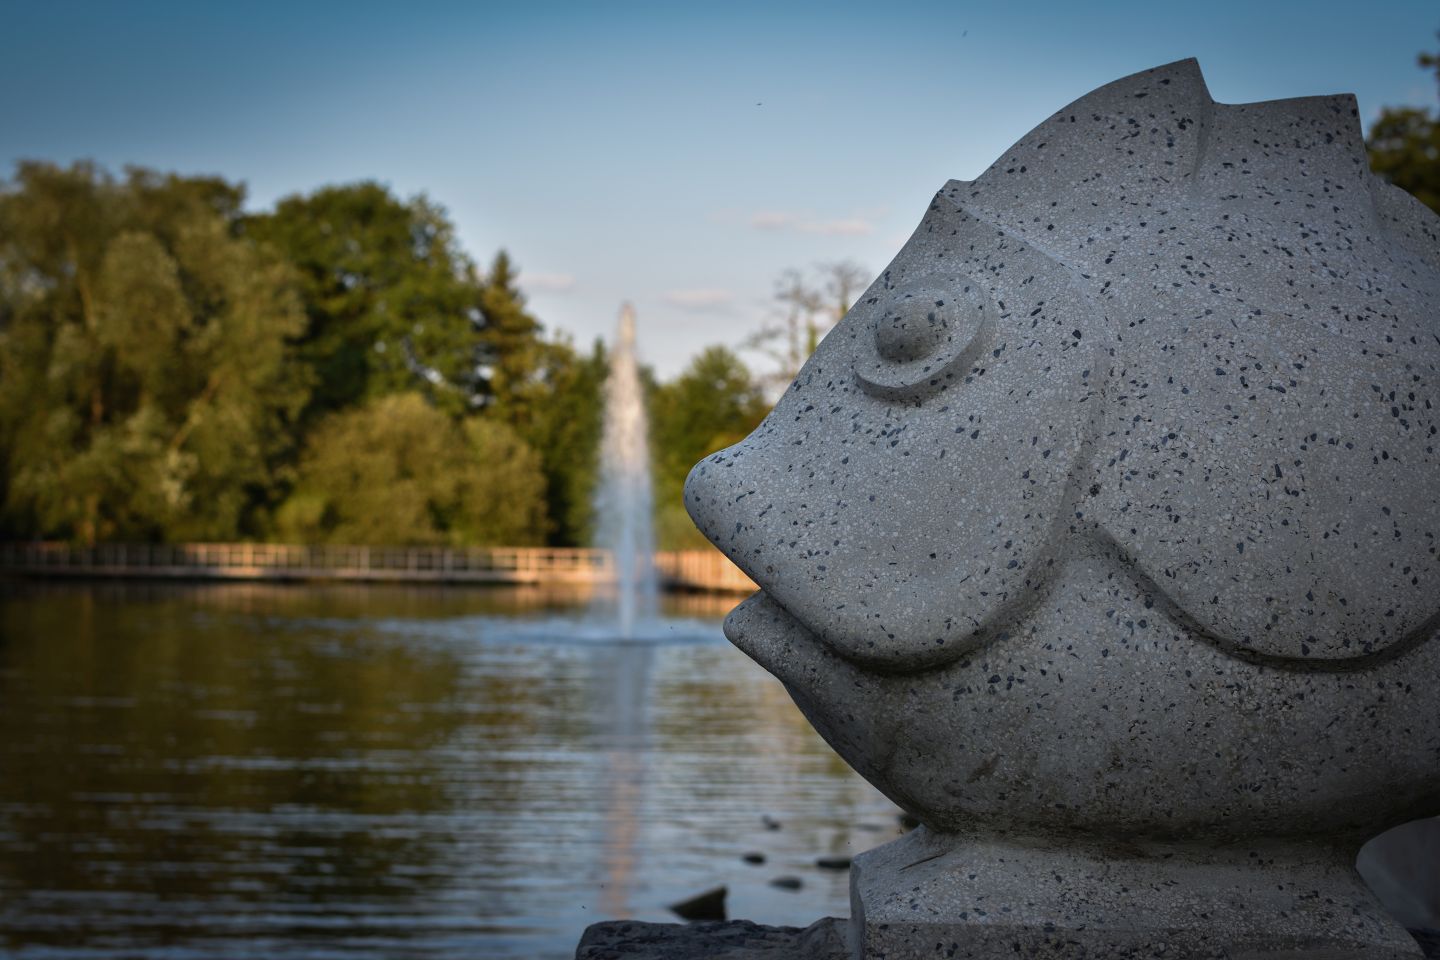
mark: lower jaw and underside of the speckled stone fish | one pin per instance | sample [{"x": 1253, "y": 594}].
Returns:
[{"x": 1042, "y": 751}]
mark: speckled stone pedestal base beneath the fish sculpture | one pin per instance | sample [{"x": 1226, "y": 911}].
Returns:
[{"x": 970, "y": 897}]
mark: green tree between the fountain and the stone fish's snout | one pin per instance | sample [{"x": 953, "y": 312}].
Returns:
[{"x": 714, "y": 404}]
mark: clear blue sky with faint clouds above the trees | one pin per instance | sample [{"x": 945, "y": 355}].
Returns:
[{"x": 678, "y": 156}]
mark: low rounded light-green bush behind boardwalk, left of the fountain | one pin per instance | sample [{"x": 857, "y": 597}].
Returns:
[{"x": 400, "y": 471}]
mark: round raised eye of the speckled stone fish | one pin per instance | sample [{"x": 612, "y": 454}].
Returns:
[{"x": 922, "y": 339}]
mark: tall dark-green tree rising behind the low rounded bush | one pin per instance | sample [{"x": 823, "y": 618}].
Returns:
[{"x": 392, "y": 303}]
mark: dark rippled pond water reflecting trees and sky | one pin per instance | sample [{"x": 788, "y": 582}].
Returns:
[{"x": 251, "y": 771}]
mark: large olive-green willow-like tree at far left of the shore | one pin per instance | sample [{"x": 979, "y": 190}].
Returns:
[{"x": 148, "y": 388}]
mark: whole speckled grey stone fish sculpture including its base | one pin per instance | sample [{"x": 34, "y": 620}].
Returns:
[{"x": 1101, "y": 536}]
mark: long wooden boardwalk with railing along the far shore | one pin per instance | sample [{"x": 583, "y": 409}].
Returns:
[{"x": 678, "y": 569}]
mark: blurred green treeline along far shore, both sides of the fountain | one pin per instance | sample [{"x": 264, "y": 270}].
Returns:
[{"x": 335, "y": 371}]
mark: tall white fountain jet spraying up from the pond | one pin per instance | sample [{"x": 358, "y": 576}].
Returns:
[{"x": 623, "y": 496}]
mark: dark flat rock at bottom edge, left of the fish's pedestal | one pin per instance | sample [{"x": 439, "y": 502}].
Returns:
[{"x": 734, "y": 941}]
